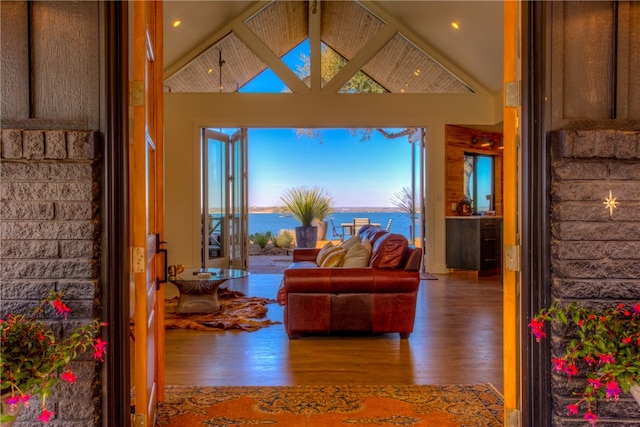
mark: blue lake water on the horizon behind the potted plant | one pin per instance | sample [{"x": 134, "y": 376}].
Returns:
[{"x": 274, "y": 222}]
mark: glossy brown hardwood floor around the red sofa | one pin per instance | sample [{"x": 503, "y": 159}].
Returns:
[{"x": 457, "y": 339}]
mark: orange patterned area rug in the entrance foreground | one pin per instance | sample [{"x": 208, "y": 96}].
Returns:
[{"x": 330, "y": 406}]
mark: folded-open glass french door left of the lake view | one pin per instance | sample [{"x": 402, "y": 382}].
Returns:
[{"x": 225, "y": 239}]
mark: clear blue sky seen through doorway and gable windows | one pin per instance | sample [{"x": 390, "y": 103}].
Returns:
[{"x": 355, "y": 173}]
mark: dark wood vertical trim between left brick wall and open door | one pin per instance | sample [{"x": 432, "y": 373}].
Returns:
[{"x": 116, "y": 382}]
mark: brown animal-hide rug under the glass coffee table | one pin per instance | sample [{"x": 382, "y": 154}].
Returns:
[{"x": 237, "y": 311}]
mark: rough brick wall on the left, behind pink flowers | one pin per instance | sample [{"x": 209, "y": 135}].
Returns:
[{"x": 50, "y": 240}]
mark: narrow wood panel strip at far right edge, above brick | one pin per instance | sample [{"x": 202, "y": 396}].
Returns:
[{"x": 633, "y": 34}]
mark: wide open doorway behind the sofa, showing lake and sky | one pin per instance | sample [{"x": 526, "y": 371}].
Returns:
[{"x": 372, "y": 173}]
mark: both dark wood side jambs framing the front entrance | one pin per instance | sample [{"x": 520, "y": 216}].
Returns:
[{"x": 536, "y": 408}]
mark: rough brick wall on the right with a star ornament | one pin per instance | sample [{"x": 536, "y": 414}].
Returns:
[{"x": 594, "y": 256}]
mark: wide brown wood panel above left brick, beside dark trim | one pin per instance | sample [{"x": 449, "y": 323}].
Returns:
[{"x": 65, "y": 61}]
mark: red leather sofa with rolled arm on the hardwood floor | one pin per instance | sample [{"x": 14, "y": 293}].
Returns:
[{"x": 380, "y": 298}]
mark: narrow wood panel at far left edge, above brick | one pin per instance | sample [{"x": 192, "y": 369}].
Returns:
[{"x": 14, "y": 68}]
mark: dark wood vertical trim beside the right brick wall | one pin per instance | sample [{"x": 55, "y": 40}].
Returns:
[{"x": 535, "y": 188}]
